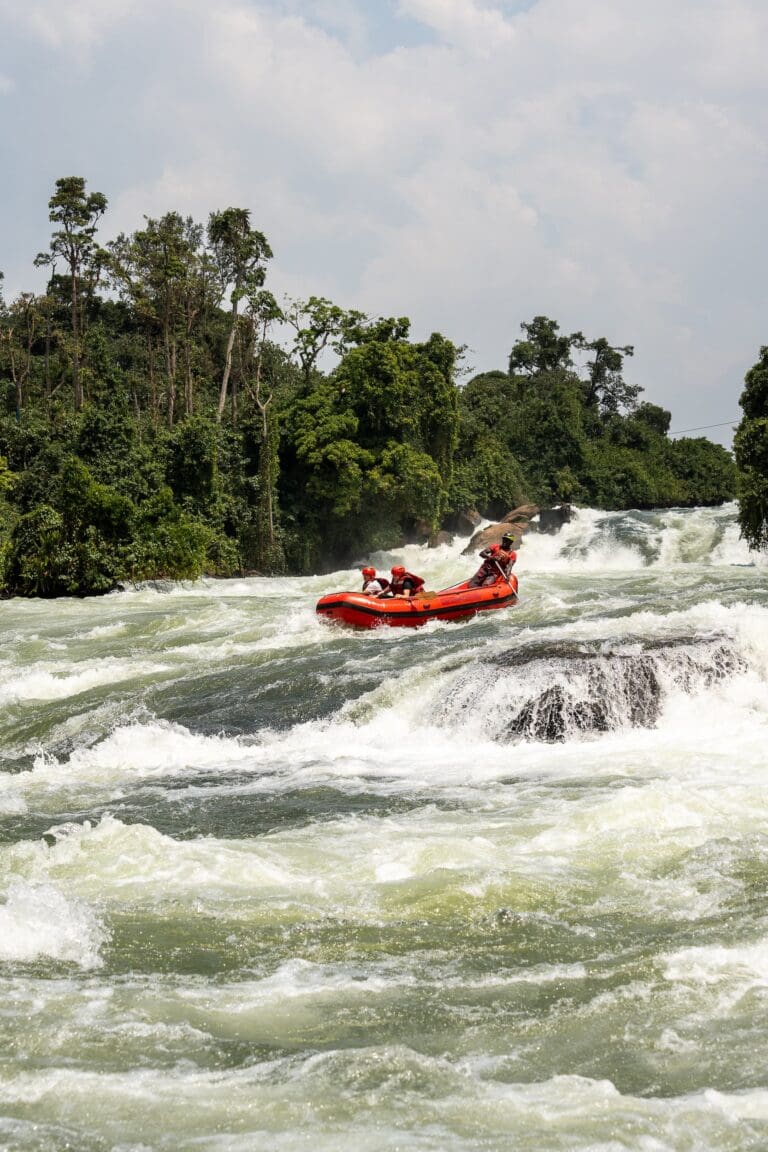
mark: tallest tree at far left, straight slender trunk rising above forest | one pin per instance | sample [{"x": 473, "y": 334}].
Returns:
[{"x": 77, "y": 214}]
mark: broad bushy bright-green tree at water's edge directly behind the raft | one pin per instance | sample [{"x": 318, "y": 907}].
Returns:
[{"x": 375, "y": 444}]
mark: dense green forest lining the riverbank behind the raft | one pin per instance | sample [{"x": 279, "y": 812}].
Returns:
[{"x": 164, "y": 415}]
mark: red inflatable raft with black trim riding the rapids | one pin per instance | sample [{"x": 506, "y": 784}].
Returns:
[{"x": 458, "y": 603}]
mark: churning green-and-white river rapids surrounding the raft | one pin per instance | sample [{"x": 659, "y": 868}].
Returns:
[{"x": 269, "y": 884}]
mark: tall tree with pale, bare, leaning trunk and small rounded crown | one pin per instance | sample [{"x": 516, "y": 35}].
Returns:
[{"x": 240, "y": 253}]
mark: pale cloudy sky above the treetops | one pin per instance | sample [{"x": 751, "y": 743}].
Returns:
[{"x": 470, "y": 164}]
